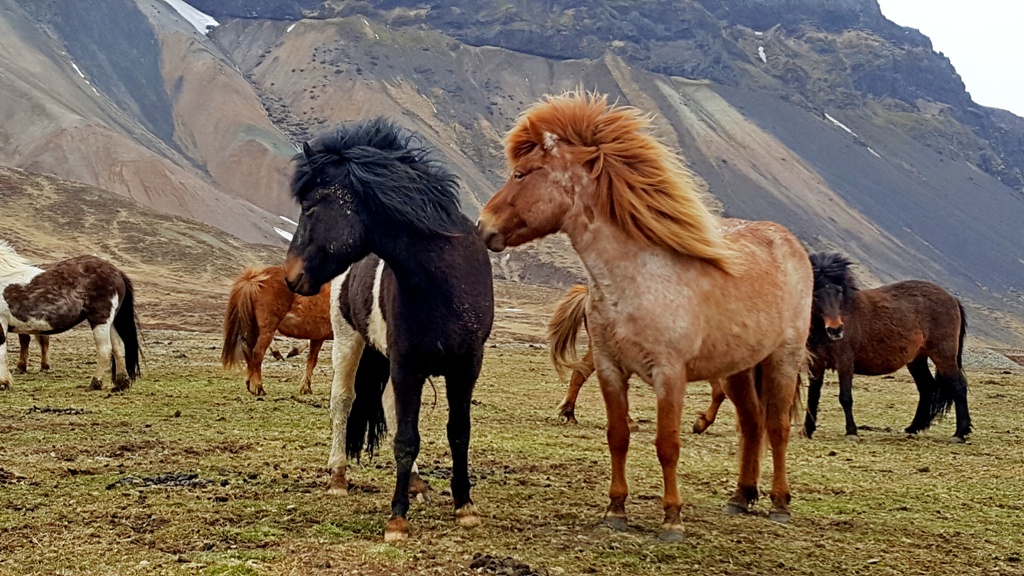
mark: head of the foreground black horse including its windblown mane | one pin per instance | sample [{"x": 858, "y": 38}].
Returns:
[{"x": 362, "y": 188}]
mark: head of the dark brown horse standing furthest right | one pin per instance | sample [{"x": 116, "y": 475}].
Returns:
[{"x": 834, "y": 291}]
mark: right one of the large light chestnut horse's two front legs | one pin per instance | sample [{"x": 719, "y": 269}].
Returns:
[{"x": 670, "y": 390}]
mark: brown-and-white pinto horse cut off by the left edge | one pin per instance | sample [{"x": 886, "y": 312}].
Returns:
[{"x": 34, "y": 301}]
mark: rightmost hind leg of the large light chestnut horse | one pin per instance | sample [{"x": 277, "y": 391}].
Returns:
[{"x": 781, "y": 377}]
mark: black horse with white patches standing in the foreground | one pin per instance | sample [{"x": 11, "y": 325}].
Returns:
[{"x": 371, "y": 188}]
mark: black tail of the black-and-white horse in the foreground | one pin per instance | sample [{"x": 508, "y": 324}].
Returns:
[{"x": 367, "y": 422}]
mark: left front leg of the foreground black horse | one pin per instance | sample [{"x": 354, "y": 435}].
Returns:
[{"x": 409, "y": 398}]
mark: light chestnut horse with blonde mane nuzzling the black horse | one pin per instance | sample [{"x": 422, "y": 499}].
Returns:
[{"x": 676, "y": 293}]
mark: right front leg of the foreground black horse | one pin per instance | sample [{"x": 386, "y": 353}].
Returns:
[{"x": 459, "y": 385}]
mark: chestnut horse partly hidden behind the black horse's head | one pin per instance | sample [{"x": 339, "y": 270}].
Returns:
[{"x": 260, "y": 307}]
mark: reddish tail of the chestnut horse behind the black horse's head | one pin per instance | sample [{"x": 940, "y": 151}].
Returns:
[{"x": 241, "y": 325}]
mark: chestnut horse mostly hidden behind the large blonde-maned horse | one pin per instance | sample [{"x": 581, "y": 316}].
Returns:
[{"x": 570, "y": 315}]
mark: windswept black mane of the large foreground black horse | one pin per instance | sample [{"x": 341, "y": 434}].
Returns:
[{"x": 389, "y": 170}]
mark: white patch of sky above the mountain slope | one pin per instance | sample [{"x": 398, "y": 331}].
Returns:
[{"x": 983, "y": 38}]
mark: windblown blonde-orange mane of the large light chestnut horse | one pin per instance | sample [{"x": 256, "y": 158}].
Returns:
[{"x": 643, "y": 187}]
